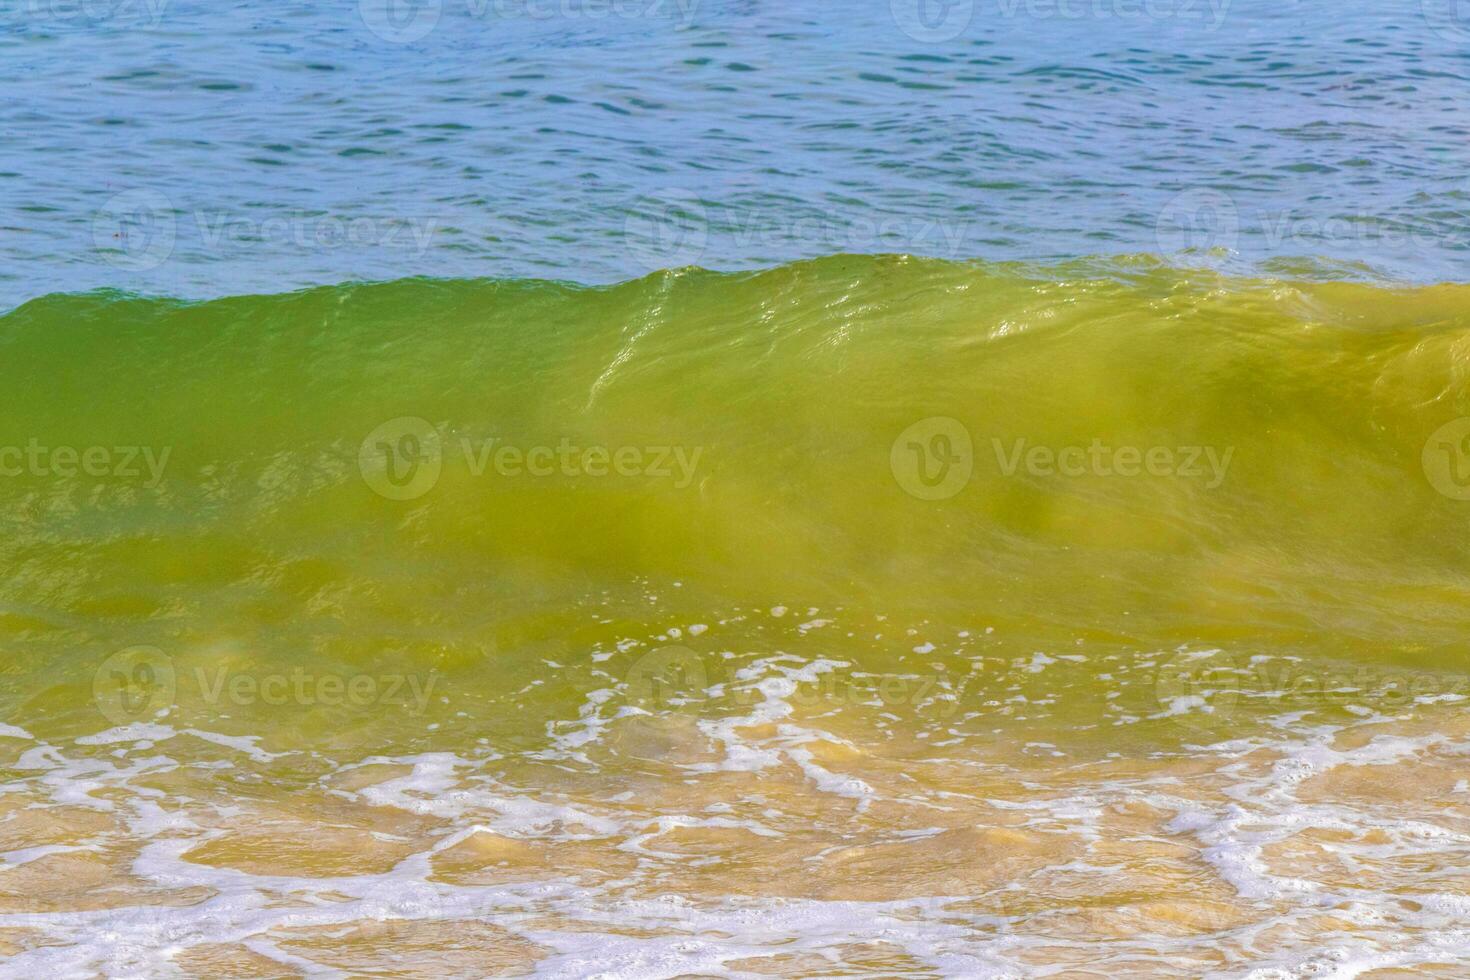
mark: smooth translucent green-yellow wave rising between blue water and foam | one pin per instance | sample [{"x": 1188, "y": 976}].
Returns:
[{"x": 1158, "y": 458}]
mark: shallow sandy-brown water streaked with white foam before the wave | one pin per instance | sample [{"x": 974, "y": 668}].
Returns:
[{"x": 787, "y": 841}]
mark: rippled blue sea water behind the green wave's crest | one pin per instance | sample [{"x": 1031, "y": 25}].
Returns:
[{"x": 268, "y": 146}]
